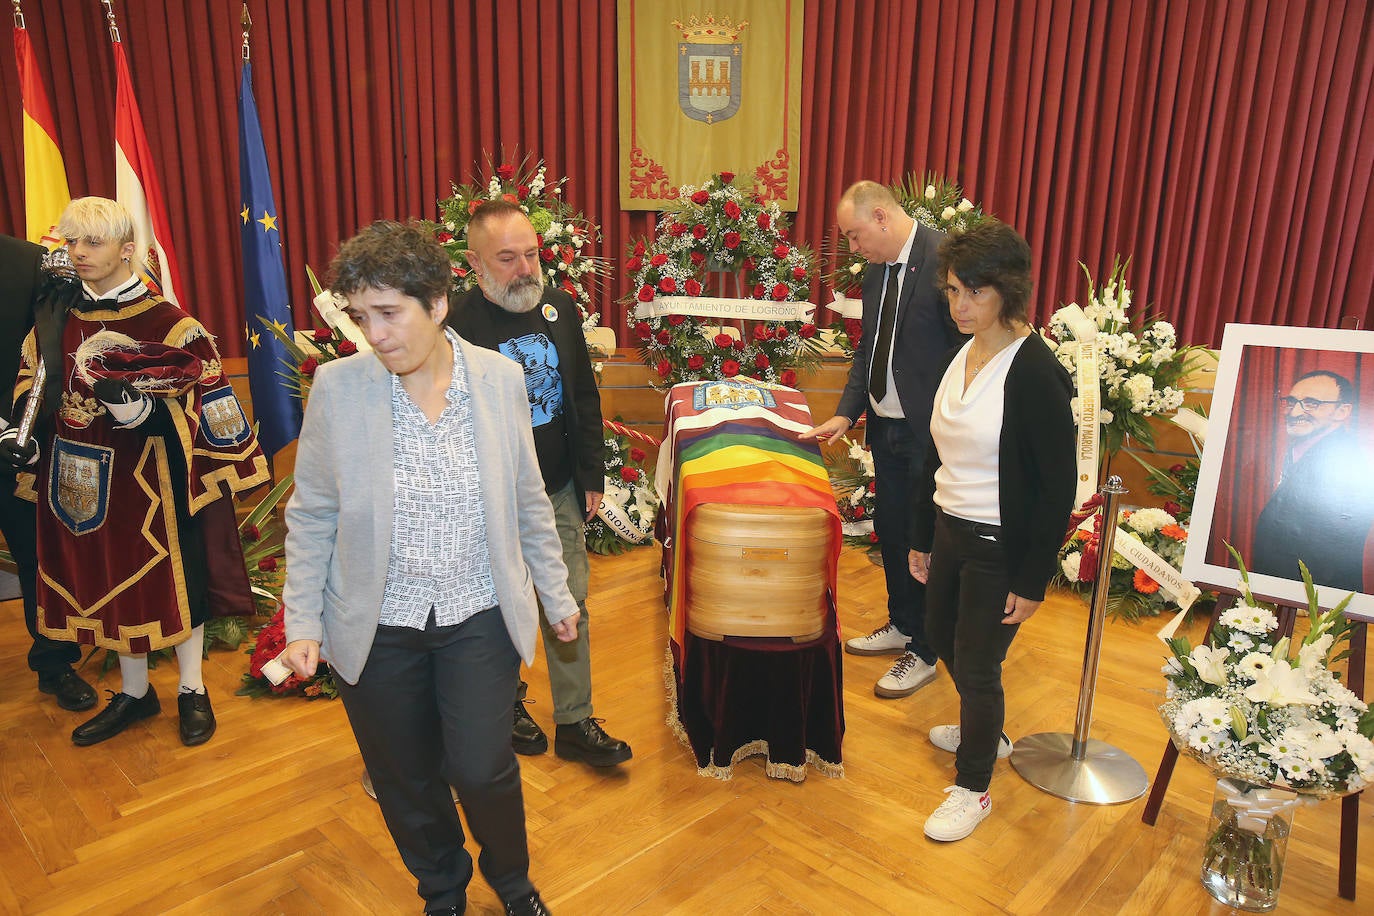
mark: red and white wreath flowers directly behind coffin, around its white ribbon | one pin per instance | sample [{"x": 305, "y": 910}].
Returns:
[{"x": 722, "y": 230}]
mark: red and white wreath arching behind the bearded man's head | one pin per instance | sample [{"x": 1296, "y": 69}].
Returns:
[{"x": 564, "y": 233}]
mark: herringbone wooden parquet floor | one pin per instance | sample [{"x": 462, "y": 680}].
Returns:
[{"x": 270, "y": 816}]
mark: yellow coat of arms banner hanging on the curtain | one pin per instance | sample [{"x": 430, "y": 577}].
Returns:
[{"x": 707, "y": 87}]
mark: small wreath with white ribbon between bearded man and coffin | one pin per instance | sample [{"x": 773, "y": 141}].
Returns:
[{"x": 630, "y": 505}]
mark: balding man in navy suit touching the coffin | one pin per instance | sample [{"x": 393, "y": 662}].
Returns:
[{"x": 897, "y": 370}]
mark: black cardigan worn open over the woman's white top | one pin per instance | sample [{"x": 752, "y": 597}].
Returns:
[{"x": 1037, "y": 472}]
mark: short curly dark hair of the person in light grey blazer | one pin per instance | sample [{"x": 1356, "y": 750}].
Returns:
[{"x": 392, "y": 256}]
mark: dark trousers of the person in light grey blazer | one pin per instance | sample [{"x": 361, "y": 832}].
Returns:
[{"x": 431, "y": 711}]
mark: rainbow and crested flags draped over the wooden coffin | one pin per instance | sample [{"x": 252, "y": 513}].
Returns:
[{"x": 736, "y": 443}]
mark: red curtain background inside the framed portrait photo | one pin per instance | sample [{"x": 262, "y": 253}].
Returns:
[{"x": 1257, "y": 444}]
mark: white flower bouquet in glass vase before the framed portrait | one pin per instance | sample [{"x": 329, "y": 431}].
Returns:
[{"x": 1248, "y": 711}]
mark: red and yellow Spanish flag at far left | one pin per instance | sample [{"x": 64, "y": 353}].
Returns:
[{"x": 45, "y": 175}]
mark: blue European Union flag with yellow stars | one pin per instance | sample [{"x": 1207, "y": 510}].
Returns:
[{"x": 277, "y": 410}]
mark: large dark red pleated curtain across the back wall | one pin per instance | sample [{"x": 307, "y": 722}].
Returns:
[{"x": 1228, "y": 146}]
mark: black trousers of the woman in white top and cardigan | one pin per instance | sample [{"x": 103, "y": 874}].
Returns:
[{"x": 967, "y": 595}]
